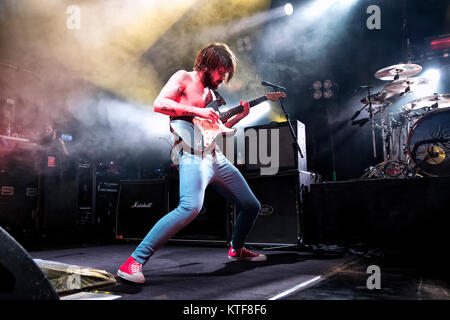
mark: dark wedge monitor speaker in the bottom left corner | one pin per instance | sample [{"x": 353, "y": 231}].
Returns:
[{"x": 20, "y": 277}]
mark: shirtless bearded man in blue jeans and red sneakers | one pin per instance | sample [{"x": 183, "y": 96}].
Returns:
[{"x": 185, "y": 95}]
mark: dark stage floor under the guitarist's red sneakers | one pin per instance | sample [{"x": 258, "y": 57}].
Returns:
[{"x": 193, "y": 272}]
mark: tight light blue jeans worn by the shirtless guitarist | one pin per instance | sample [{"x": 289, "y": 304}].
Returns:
[{"x": 196, "y": 173}]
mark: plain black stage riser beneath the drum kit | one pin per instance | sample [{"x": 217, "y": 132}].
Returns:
[{"x": 382, "y": 212}]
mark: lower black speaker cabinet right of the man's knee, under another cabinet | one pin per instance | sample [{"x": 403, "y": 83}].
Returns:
[{"x": 278, "y": 220}]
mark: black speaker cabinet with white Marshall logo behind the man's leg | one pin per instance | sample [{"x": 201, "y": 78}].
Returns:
[{"x": 140, "y": 205}]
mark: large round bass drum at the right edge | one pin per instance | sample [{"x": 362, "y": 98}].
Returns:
[{"x": 428, "y": 142}]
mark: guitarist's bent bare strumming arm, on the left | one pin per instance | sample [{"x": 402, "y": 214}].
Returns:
[{"x": 167, "y": 100}]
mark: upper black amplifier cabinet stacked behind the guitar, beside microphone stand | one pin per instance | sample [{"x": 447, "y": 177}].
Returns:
[{"x": 287, "y": 157}]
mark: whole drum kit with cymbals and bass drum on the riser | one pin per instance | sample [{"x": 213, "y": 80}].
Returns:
[{"x": 415, "y": 138}]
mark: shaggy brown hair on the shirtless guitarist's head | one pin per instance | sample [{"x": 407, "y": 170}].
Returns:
[{"x": 216, "y": 55}]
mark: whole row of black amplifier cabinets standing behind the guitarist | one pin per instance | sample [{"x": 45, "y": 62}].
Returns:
[{"x": 142, "y": 203}]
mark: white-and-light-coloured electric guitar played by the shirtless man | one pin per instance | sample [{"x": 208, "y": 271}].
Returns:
[{"x": 199, "y": 134}]
